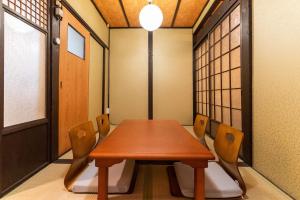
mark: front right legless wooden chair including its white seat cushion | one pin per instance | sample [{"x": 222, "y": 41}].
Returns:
[{"x": 222, "y": 178}]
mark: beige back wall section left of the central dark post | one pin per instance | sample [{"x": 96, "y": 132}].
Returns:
[{"x": 128, "y": 74}]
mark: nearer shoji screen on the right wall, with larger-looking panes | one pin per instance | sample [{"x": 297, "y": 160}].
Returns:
[{"x": 225, "y": 72}]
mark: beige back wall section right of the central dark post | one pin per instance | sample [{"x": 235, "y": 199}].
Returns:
[{"x": 172, "y": 75}]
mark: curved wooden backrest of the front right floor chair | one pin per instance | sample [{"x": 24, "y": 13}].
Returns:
[{"x": 227, "y": 146}]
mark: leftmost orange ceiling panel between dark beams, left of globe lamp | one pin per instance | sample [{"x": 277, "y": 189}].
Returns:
[{"x": 112, "y": 12}]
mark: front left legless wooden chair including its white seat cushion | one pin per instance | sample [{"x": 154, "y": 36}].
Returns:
[{"x": 82, "y": 176}]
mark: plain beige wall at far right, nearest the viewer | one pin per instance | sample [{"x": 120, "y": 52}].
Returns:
[{"x": 276, "y": 92}]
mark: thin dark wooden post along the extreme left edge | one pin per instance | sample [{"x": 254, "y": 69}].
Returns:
[{"x": 1, "y": 88}]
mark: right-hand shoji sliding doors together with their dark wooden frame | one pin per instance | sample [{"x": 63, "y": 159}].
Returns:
[{"x": 222, "y": 75}]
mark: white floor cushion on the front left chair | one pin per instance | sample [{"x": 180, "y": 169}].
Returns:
[{"x": 119, "y": 178}]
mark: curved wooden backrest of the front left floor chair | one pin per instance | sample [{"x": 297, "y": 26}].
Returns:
[{"x": 83, "y": 140}]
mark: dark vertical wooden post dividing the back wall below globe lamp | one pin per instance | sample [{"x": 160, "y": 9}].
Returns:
[{"x": 150, "y": 75}]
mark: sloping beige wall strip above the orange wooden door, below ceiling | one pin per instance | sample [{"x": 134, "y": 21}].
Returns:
[{"x": 88, "y": 12}]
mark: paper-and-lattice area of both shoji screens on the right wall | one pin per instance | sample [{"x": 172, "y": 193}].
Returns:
[{"x": 218, "y": 74}]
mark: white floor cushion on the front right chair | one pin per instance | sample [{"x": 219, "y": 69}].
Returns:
[{"x": 218, "y": 184}]
